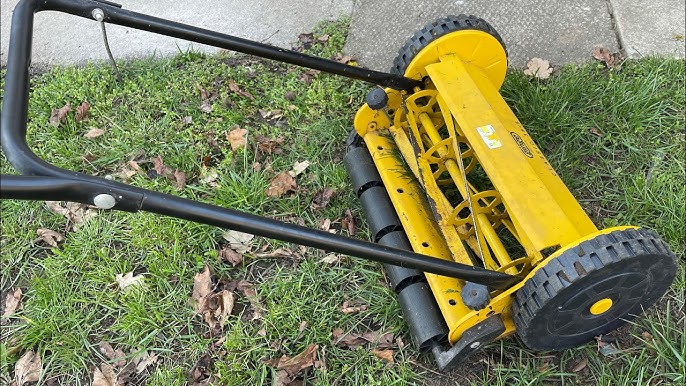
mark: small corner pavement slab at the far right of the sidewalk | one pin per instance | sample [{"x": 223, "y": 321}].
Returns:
[{"x": 651, "y": 27}]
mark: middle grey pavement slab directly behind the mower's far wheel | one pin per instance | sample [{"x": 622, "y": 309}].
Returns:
[{"x": 559, "y": 31}]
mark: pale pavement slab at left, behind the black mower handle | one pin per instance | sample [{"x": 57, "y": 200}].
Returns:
[{"x": 64, "y": 39}]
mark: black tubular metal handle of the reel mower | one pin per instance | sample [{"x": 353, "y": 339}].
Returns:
[{"x": 42, "y": 181}]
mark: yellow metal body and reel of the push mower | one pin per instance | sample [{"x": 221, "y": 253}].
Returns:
[{"x": 443, "y": 139}]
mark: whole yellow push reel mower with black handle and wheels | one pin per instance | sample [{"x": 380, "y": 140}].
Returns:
[{"x": 479, "y": 237}]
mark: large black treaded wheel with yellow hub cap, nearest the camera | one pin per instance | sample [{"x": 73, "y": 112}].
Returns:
[{"x": 633, "y": 268}]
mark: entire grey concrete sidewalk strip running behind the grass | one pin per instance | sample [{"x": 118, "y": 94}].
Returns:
[{"x": 560, "y": 31}]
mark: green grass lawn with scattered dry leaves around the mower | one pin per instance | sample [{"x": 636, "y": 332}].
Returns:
[{"x": 631, "y": 173}]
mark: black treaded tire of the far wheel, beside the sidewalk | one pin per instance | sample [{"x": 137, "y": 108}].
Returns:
[{"x": 435, "y": 30}]
